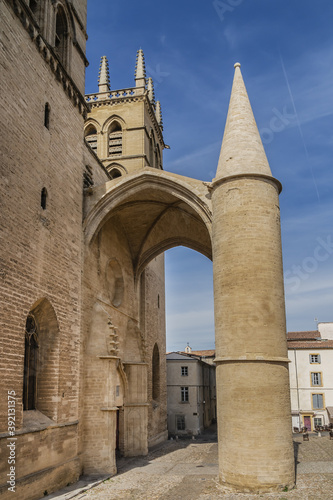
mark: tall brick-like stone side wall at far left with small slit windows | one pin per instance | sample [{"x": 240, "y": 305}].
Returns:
[{"x": 40, "y": 260}]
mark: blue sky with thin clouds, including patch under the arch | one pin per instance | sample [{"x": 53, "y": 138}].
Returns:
[{"x": 286, "y": 55}]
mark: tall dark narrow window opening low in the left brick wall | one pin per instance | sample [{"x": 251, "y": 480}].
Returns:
[{"x": 30, "y": 364}]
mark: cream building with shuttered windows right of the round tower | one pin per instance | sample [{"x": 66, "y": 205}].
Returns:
[{"x": 311, "y": 376}]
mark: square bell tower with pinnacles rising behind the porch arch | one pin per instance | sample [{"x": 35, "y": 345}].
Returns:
[{"x": 124, "y": 127}]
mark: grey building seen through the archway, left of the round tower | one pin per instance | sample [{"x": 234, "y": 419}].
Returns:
[{"x": 191, "y": 392}]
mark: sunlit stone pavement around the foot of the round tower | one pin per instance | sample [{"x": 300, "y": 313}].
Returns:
[{"x": 187, "y": 470}]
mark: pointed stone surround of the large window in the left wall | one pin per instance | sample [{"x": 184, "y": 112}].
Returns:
[{"x": 47, "y": 376}]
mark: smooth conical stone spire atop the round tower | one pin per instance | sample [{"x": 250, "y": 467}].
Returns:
[{"x": 242, "y": 150}]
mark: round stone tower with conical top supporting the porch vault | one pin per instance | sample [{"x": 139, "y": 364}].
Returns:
[{"x": 255, "y": 439}]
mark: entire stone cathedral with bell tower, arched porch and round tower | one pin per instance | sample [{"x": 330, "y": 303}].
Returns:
[{"x": 86, "y": 214}]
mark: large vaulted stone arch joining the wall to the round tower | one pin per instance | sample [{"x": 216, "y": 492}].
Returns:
[{"x": 158, "y": 211}]
